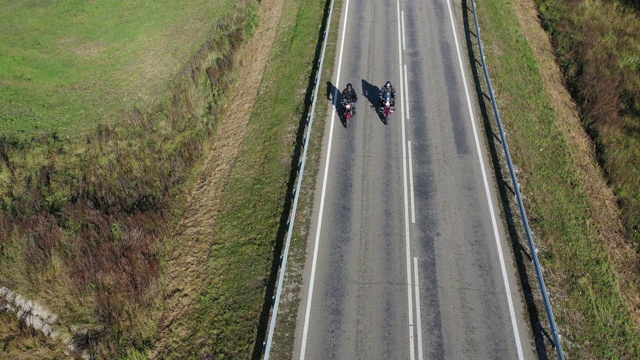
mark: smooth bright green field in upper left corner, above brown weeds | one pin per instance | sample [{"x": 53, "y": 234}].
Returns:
[{"x": 65, "y": 66}]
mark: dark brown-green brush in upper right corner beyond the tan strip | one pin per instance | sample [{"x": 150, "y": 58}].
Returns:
[{"x": 598, "y": 48}]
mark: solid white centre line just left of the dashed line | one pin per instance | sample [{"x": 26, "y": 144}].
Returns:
[{"x": 406, "y": 205}]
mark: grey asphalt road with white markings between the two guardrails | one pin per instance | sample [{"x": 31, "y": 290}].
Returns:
[{"x": 407, "y": 257}]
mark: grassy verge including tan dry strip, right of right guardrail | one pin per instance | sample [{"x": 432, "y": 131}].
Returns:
[{"x": 594, "y": 300}]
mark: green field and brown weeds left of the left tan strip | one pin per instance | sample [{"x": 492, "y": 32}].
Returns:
[{"x": 86, "y": 200}]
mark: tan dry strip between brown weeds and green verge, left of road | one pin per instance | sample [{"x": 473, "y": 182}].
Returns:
[{"x": 193, "y": 240}]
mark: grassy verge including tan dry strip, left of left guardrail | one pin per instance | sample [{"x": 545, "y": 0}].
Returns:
[{"x": 228, "y": 316}]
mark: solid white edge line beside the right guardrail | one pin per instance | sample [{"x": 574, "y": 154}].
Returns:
[{"x": 488, "y": 193}]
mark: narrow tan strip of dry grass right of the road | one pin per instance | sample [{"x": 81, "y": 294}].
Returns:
[{"x": 606, "y": 214}]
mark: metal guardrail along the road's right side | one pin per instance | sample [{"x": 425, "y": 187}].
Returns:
[{"x": 532, "y": 246}]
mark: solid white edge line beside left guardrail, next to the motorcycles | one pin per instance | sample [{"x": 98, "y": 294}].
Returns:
[{"x": 305, "y": 332}]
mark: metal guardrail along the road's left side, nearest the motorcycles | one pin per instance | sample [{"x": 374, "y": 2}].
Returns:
[{"x": 305, "y": 142}]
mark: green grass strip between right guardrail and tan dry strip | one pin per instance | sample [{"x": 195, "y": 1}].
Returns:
[{"x": 590, "y": 310}]
